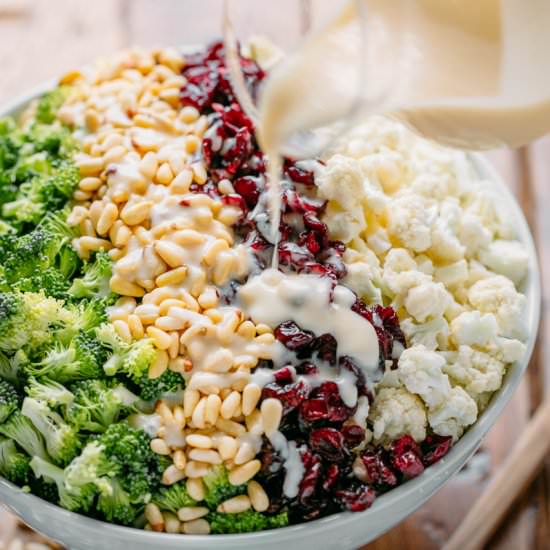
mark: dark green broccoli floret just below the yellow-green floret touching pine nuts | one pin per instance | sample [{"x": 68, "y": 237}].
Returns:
[{"x": 97, "y": 405}]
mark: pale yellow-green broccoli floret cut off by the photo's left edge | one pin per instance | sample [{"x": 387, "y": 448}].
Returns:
[{"x": 26, "y": 319}]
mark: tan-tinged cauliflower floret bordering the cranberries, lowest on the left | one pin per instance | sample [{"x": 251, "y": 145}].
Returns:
[{"x": 396, "y": 412}]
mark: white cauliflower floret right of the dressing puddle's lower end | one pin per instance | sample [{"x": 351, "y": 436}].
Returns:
[{"x": 421, "y": 372}]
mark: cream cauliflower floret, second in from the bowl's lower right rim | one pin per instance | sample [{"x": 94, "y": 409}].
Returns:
[{"x": 477, "y": 372}]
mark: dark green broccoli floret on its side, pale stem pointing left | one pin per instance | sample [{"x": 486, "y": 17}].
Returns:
[{"x": 82, "y": 359}]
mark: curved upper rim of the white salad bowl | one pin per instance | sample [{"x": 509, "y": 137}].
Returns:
[{"x": 424, "y": 485}]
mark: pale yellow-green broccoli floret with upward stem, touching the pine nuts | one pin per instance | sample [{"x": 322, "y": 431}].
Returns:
[{"x": 133, "y": 359}]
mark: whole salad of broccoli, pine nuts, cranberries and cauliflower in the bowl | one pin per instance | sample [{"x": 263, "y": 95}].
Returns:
[{"x": 156, "y": 371}]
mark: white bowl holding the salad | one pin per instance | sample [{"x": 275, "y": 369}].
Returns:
[{"x": 344, "y": 530}]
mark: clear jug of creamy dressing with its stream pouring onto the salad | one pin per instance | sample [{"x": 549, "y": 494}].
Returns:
[{"x": 466, "y": 73}]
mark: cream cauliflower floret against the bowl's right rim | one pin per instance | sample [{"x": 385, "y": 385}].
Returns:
[{"x": 498, "y": 295}]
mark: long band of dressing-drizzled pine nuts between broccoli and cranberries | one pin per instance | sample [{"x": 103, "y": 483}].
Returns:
[{"x": 172, "y": 250}]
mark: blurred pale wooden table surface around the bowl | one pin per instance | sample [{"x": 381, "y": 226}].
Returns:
[{"x": 39, "y": 39}]
